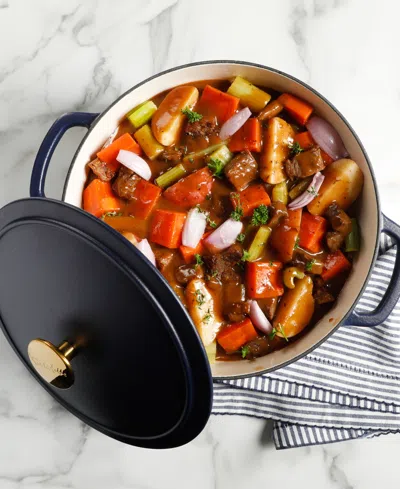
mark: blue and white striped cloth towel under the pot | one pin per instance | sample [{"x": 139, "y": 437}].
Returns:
[{"x": 347, "y": 388}]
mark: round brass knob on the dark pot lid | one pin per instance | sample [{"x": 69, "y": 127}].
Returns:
[{"x": 52, "y": 363}]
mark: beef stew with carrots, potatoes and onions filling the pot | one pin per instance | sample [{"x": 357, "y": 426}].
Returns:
[{"x": 242, "y": 197}]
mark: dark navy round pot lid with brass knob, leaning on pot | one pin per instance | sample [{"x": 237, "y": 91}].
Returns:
[{"x": 99, "y": 327}]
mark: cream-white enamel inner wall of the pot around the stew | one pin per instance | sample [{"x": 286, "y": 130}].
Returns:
[{"x": 368, "y": 207}]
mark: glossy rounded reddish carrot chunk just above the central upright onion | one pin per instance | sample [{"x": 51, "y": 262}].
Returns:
[{"x": 191, "y": 190}]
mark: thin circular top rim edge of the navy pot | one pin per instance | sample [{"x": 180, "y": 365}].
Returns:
[{"x": 331, "y": 106}]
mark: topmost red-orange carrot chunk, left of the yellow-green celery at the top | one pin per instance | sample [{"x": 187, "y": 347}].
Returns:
[{"x": 217, "y": 103}]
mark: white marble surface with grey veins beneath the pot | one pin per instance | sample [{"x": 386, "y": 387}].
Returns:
[{"x": 58, "y": 56}]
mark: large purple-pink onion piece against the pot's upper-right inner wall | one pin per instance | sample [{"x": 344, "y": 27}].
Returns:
[{"x": 327, "y": 137}]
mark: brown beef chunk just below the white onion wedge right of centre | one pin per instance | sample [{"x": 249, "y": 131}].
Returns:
[{"x": 222, "y": 265}]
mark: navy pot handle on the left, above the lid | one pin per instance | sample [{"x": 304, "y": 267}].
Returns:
[{"x": 49, "y": 144}]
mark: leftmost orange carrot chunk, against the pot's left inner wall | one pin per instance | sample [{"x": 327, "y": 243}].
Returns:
[{"x": 98, "y": 198}]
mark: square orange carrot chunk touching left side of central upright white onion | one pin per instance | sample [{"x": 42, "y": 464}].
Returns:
[{"x": 166, "y": 228}]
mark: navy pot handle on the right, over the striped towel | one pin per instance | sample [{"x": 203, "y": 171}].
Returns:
[{"x": 392, "y": 293}]
